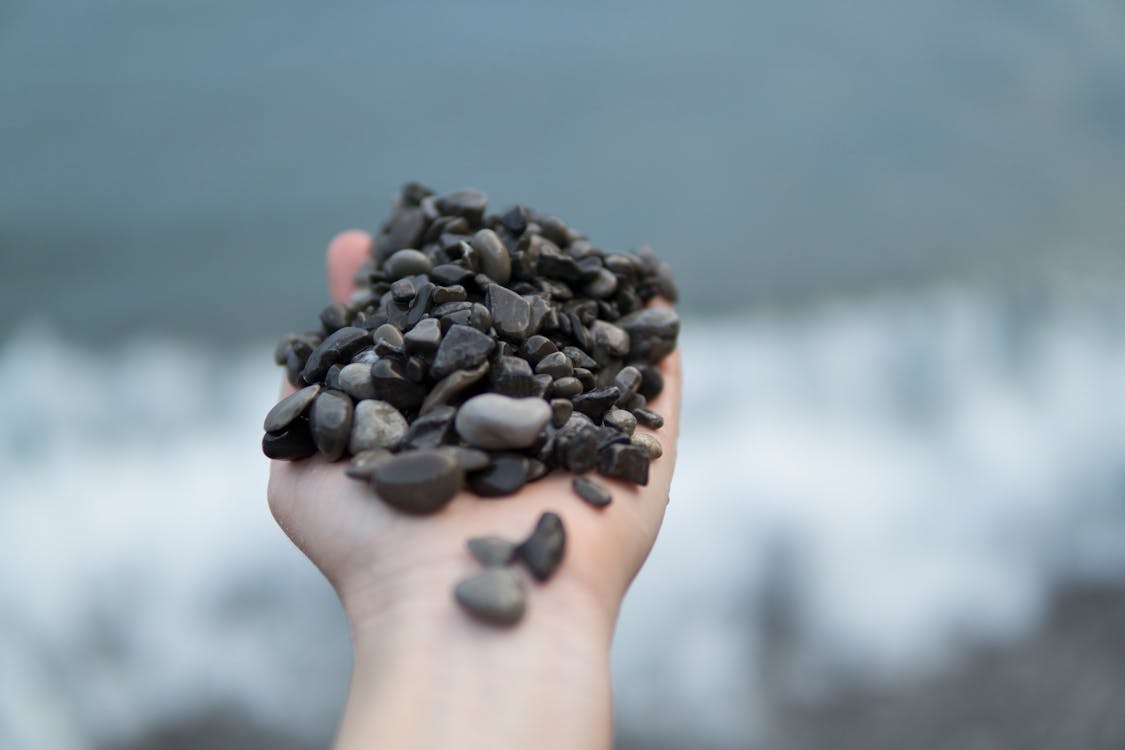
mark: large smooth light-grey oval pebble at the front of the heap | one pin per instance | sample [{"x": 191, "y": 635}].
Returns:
[{"x": 497, "y": 422}]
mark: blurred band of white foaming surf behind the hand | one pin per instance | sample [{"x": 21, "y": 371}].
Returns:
[{"x": 865, "y": 487}]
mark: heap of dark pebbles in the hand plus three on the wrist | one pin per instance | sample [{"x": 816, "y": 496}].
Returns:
[{"x": 482, "y": 351}]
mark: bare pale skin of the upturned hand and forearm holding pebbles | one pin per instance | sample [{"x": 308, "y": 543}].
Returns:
[{"x": 426, "y": 674}]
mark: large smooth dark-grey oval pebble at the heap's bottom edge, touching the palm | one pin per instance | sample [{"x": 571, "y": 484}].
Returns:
[{"x": 418, "y": 482}]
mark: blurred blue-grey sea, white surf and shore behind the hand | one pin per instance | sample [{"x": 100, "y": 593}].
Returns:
[{"x": 899, "y": 516}]
